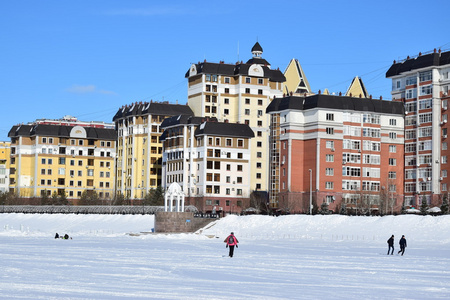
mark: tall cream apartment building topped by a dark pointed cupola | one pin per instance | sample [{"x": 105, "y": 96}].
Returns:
[{"x": 239, "y": 93}]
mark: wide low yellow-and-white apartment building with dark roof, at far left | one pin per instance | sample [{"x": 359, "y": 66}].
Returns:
[{"x": 66, "y": 157}]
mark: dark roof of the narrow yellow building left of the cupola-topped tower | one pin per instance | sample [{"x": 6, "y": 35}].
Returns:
[{"x": 152, "y": 108}]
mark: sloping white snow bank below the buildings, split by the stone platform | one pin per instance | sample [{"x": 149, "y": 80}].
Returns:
[{"x": 419, "y": 228}]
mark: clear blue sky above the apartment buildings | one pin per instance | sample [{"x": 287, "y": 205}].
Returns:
[{"x": 88, "y": 58}]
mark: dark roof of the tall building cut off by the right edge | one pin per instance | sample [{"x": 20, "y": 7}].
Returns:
[{"x": 421, "y": 61}]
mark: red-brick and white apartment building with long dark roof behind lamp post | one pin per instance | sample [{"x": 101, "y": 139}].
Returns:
[{"x": 339, "y": 150}]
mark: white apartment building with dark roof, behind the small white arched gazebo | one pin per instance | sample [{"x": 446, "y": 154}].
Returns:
[{"x": 210, "y": 160}]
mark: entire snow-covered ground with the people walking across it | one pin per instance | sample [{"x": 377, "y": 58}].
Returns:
[{"x": 289, "y": 257}]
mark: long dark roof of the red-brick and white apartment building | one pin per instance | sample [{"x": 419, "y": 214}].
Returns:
[{"x": 336, "y": 102}]
